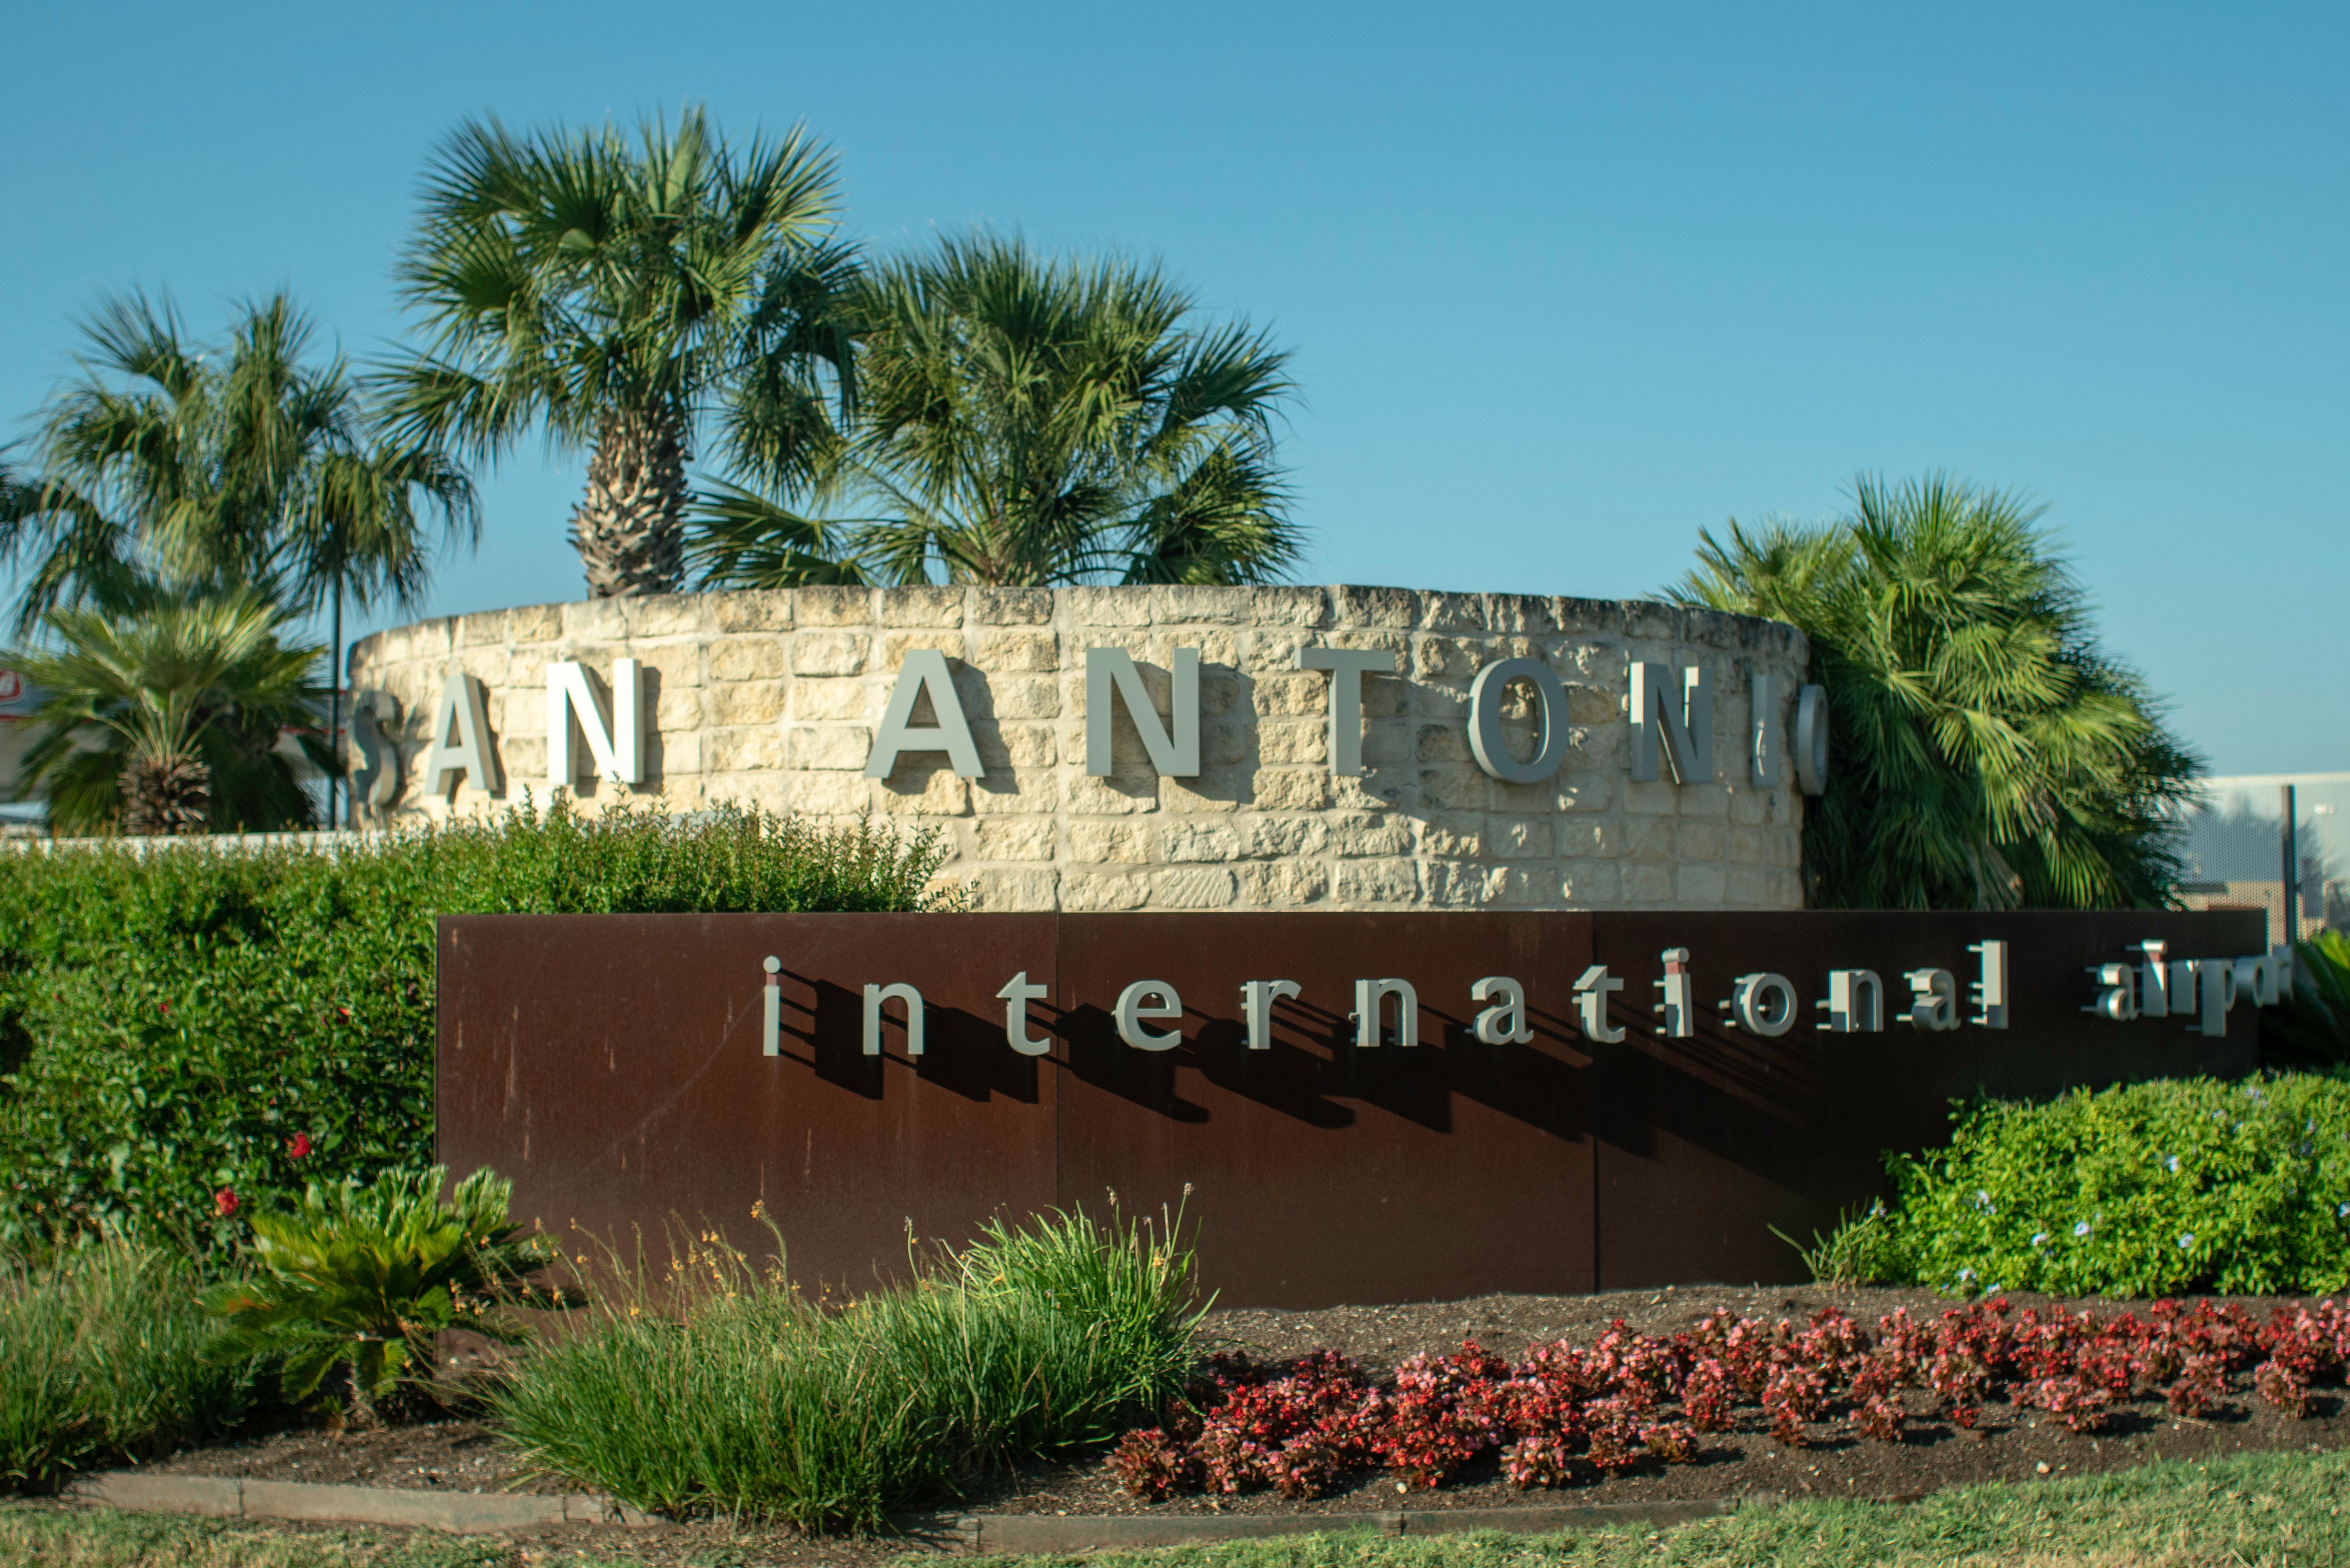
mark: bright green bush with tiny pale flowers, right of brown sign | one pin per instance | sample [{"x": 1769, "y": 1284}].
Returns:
[{"x": 2142, "y": 1191}]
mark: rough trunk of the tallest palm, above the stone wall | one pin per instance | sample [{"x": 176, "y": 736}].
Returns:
[{"x": 631, "y": 525}]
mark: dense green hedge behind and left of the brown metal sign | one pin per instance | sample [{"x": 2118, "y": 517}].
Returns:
[{"x": 201, "y": 1024}]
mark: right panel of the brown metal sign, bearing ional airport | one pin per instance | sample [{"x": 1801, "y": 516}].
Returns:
[{"x": 1710, "y": 1141}]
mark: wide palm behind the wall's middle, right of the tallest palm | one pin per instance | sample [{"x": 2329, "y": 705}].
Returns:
[{"x": 1033, "y": 422}]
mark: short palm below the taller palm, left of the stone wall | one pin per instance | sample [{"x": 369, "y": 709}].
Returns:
[{"x": 168, "y": 718}]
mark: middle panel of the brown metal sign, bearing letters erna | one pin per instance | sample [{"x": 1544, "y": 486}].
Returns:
[{"x": 1324, "y": 1170}]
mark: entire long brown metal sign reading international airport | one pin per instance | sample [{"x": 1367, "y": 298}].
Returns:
[{"x": 612, "y": 1066}]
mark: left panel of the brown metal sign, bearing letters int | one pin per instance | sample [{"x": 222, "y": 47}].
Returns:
[{"x": 612, "y": 1066}]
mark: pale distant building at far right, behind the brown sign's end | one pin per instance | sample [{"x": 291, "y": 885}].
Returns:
[{"x": 2234, "y": 847}]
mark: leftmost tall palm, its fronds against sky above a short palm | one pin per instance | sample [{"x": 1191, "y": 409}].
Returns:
[{"x": 173, "y": 471}]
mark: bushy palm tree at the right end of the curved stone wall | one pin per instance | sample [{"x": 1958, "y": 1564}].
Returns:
[{"x": 1989, "y": 756}]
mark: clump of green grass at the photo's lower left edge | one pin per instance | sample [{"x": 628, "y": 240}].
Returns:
[{"x": 102, "y": 1358}]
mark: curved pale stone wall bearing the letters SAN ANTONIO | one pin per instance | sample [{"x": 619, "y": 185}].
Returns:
[{"x": 777, "y": 699}]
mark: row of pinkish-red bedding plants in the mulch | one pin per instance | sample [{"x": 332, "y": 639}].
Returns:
[{"x": 1569, "y": 1416}]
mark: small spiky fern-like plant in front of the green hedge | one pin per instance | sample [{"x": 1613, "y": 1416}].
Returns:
[{"x": 363, "y": 1278}]
